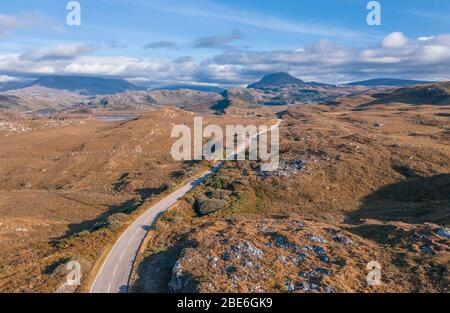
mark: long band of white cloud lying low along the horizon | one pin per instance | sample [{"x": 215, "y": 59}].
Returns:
[{"x": 322, "y": 61}]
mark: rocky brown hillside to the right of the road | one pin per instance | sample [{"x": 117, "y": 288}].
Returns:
[{"x": 353, "y": 187}]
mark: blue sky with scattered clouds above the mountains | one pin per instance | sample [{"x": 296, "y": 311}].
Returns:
[{"x": 225, "y": 42}]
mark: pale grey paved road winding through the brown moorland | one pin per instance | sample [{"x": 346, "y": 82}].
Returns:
[{"x": 116, "y": 270}]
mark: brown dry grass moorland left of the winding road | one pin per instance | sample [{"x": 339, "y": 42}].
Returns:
[{"x": 63, "y": 176}]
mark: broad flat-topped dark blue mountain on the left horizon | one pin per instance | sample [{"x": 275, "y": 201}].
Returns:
[{"x": 86, "y": 85}]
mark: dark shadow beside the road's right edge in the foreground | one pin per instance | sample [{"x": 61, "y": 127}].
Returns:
[{"x": 155, "y": 271}]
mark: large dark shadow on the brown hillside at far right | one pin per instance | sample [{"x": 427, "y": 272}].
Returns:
[{"x": 415, "y": 200}]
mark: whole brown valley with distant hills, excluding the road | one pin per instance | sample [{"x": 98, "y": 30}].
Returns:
[{"x": 364, "y": 176}]
